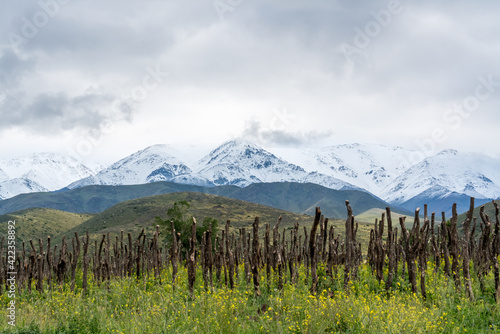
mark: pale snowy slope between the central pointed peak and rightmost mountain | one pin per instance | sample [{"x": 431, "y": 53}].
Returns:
[{"x": 367, "y": 166}]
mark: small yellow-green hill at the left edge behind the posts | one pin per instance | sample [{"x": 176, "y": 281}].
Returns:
[{"x": 40, "y": 222}]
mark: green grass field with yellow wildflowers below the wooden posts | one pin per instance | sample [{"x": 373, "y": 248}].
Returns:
[{"x": 148, "y": 306}]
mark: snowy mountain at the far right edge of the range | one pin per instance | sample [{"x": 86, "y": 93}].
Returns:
[{"x": 445, "y": 173}]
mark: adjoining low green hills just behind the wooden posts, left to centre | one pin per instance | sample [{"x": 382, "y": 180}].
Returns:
[{"x": 133, "y": 215}]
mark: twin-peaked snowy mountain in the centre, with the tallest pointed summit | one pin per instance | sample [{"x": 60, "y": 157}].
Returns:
[{"x": 236, "y": 162}]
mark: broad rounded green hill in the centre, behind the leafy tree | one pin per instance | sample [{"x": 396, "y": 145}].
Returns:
[{"x": 132, "y": 216}]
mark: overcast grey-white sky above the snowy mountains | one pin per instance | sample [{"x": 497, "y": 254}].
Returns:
[{"x": 103, "y": 79}]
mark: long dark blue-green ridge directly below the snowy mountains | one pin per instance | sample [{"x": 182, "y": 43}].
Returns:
[{"x": 294, "y": 197}]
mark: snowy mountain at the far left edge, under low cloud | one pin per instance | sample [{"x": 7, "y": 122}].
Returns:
[{"x": 40, "y": 172}]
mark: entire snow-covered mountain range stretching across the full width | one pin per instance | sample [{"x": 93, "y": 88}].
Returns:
[{"x": 381, "y": 170}]
